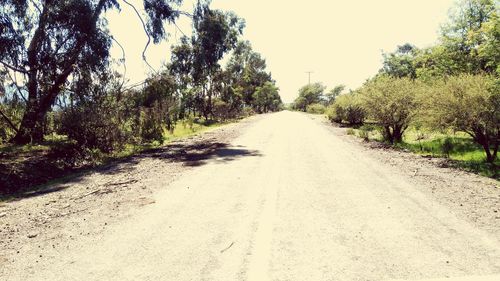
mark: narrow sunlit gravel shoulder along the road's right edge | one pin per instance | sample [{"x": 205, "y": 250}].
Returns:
[{"x": 468, "y": 195}]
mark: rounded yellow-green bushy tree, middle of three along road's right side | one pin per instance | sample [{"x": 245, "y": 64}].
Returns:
[{"x": 391, "y": 102}]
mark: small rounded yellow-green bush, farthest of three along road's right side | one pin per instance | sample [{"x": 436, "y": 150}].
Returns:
[{"x": 347, "y": 108}]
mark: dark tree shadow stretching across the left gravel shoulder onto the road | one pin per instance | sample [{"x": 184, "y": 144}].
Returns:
[{"x": 40, "y": 177}]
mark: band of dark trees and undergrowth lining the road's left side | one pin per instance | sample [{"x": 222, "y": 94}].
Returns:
[{"x": 63, "y": 100}]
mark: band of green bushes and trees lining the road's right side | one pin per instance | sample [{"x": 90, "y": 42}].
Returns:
[{"x": 441, "y": 101}]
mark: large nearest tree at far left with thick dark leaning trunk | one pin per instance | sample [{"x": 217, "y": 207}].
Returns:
[{"x": 49, "y": 43}]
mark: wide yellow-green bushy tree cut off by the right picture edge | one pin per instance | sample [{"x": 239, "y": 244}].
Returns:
[{"x": 468, "y": 103}]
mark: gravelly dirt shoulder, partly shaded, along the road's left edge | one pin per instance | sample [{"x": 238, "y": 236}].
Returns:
[{"x": 37, "y": 226}]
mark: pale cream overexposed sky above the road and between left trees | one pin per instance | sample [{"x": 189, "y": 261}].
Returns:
[{"x": 341, "y": 42}]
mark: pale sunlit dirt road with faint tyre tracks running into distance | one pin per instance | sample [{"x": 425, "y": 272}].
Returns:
[{"x": 287, "y": 200}]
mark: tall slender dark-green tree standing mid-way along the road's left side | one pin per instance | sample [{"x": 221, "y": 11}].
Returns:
[{"x": 195, "y": 62}]
